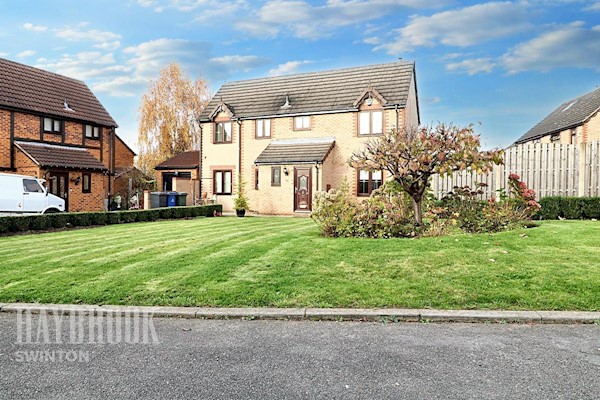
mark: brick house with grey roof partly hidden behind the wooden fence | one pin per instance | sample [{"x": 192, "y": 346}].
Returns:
[{"x": 574, "y": 122}]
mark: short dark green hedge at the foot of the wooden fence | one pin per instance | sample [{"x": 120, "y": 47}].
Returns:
[{"x": 570, "y": 208}]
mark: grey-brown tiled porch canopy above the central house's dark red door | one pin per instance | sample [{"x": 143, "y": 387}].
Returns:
[{"x": 296, "y": 151}]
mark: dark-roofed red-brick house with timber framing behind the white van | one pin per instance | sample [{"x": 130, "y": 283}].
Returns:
[{"x": 54, "y": 128}]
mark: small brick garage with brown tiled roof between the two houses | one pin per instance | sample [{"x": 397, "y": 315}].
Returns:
[{"x": 180, "y": 174}]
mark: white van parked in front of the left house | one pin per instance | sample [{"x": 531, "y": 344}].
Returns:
[{"x": 26, "y": 194}]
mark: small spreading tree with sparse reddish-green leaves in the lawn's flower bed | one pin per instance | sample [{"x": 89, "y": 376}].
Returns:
[{"x": 413, "y": 156}]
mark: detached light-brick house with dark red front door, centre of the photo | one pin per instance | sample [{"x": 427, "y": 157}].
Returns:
[{"x": 291, "y": 136}]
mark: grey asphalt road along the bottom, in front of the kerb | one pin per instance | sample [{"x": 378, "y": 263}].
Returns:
[{"x": 201, "y": 359}]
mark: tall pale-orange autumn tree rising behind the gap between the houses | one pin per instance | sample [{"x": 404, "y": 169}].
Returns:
[{"x": 168, "y": 117}]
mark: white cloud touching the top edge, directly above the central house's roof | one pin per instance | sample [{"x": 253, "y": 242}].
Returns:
[{"x": 305, "y": 20}]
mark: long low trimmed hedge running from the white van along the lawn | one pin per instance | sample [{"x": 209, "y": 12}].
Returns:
[{"x": 44, "y": 222}]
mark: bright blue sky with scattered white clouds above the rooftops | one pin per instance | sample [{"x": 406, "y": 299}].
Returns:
[{"x": 502, "y": 65}]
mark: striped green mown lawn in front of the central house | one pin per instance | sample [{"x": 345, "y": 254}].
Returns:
[{"x": 284, "y": 262}]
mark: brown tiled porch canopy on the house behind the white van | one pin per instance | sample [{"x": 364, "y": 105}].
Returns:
[{"x": 53, "y": 156}]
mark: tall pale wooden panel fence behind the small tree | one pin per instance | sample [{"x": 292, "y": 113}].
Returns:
[{"x": 551, "y": 169}]
